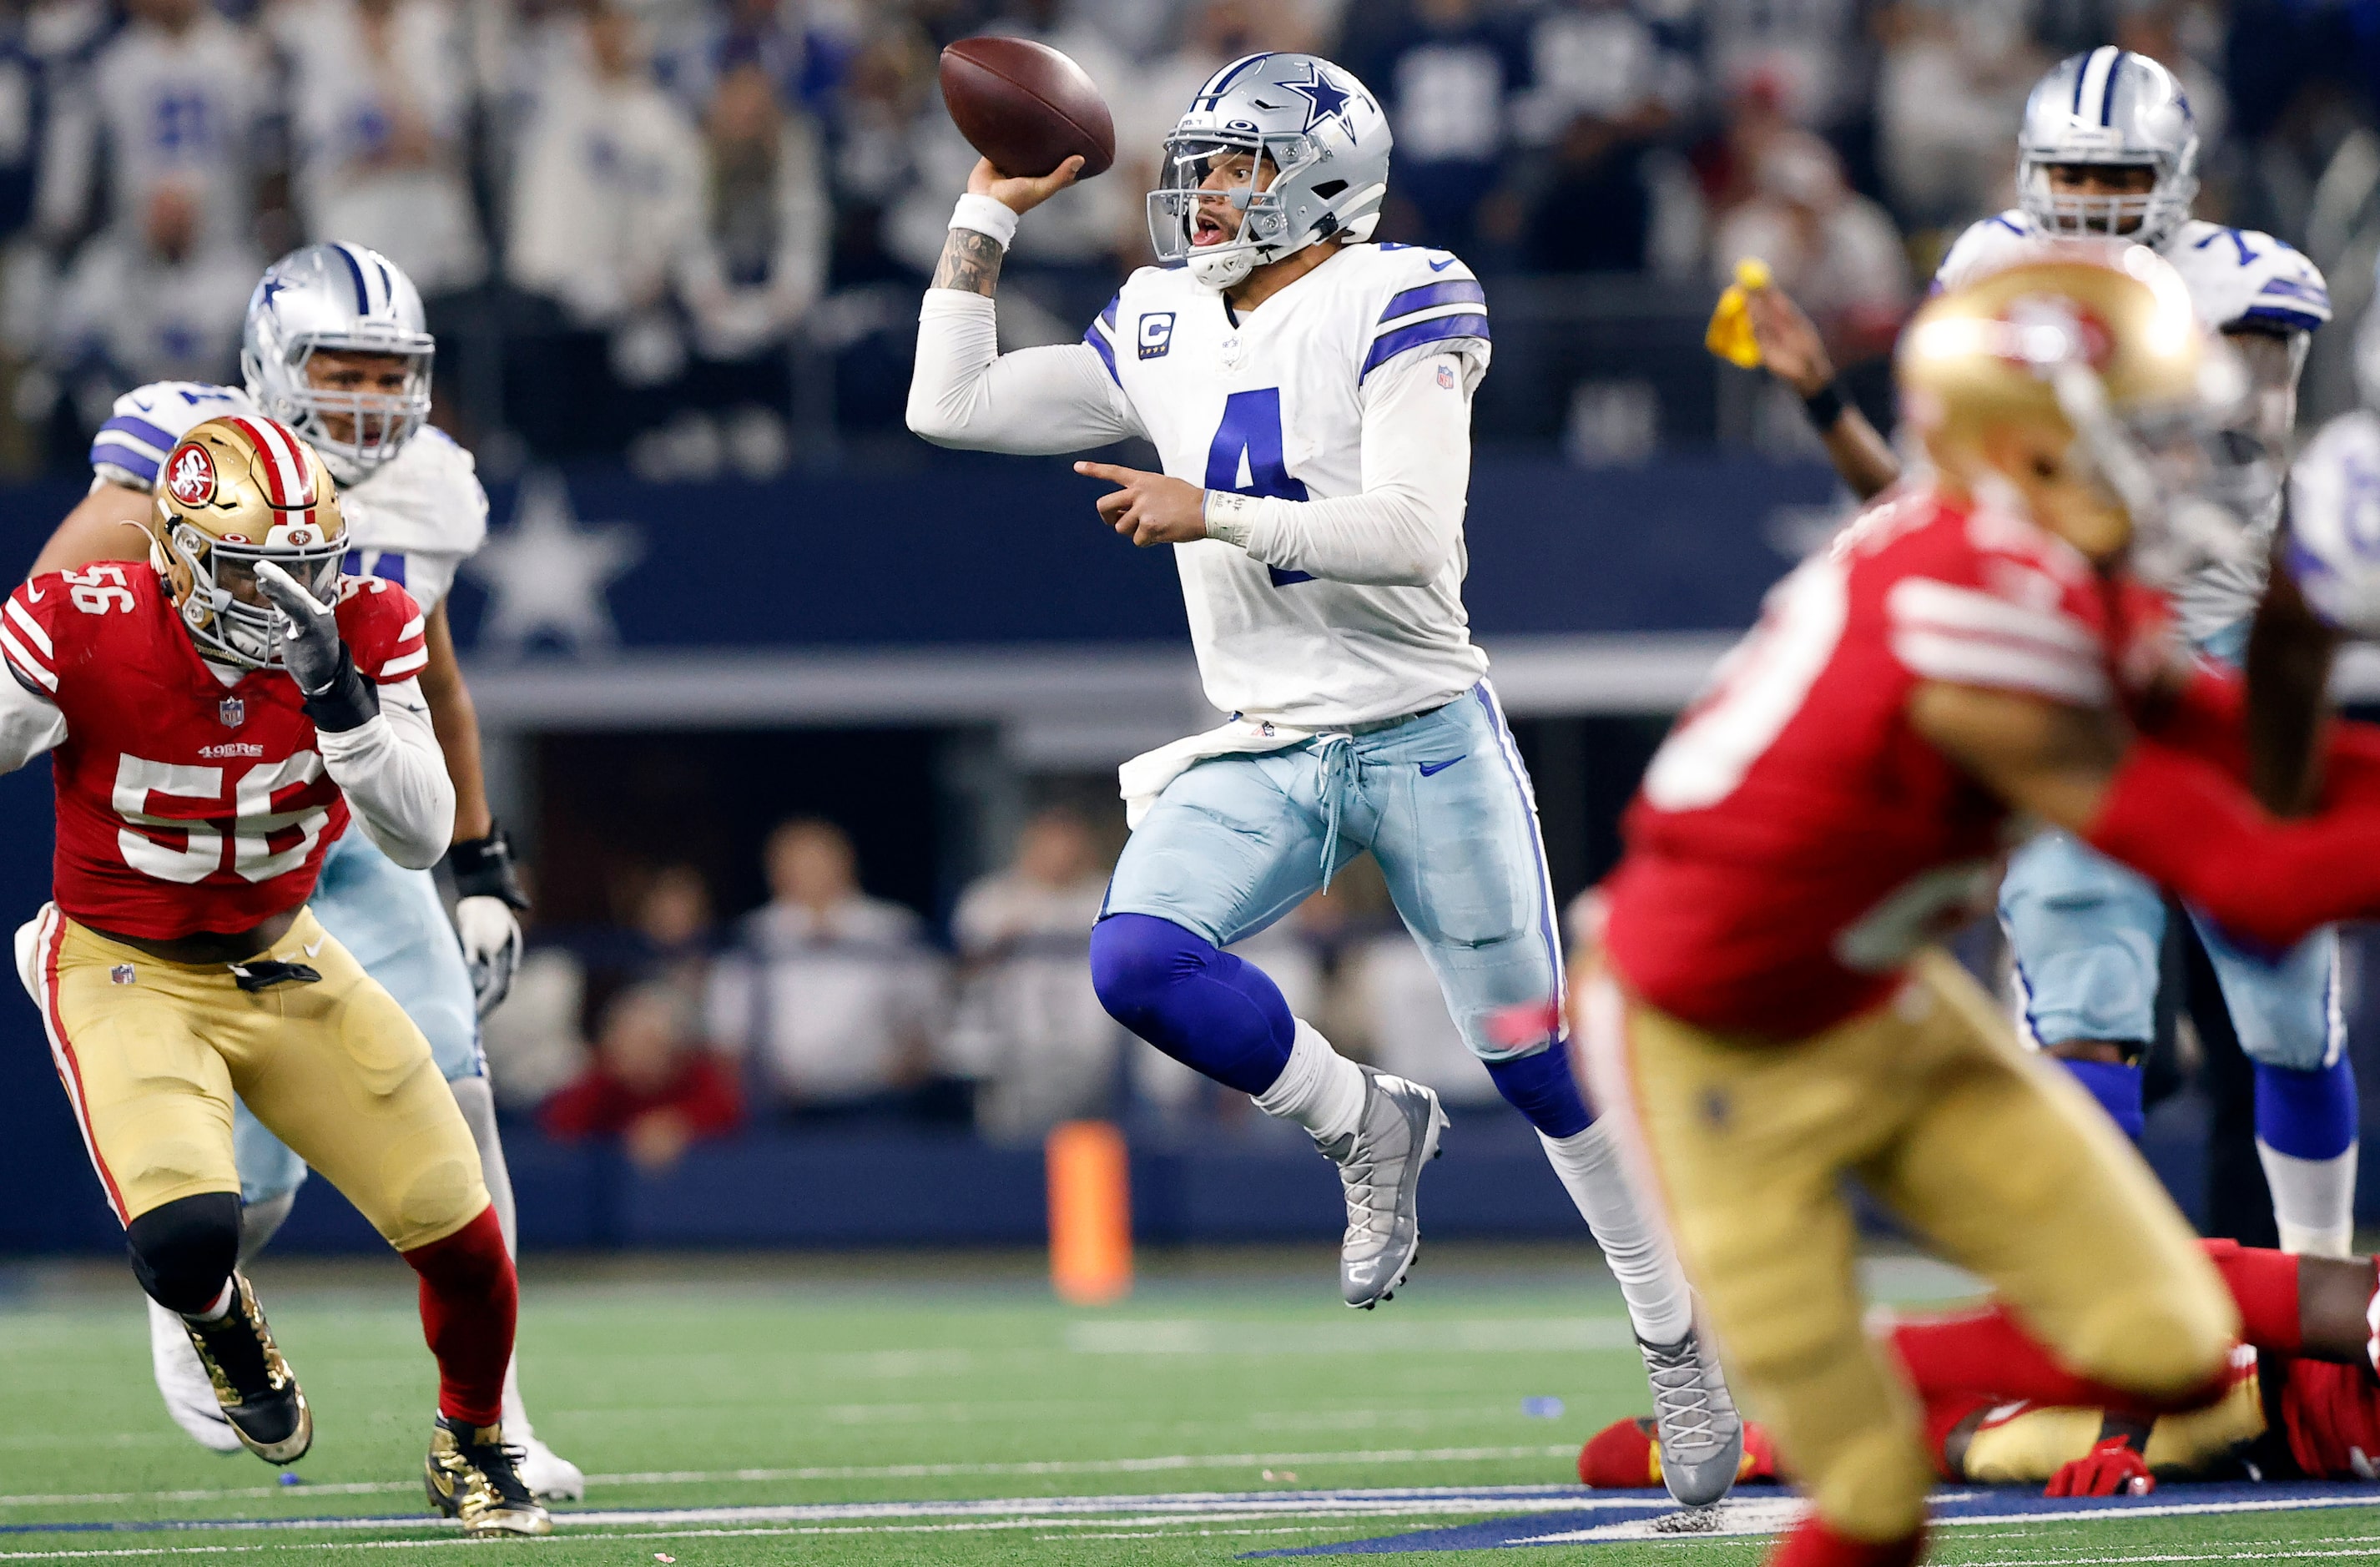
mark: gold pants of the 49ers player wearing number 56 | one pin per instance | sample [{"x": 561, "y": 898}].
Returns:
[{"x": 154, "y": 1051}]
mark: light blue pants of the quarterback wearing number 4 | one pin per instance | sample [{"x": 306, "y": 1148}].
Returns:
[{"x": 1448, "y": 813}]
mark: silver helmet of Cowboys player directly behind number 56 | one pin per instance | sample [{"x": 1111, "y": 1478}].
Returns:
[{"x": 339, "y": 299}]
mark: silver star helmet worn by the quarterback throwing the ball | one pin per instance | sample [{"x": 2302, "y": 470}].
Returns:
[{"x": 1313, "y": 125}]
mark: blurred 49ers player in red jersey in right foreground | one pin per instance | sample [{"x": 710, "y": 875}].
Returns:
[{"x": 1770, "y": 1016}]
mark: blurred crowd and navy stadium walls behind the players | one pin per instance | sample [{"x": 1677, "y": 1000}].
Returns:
[{"x": 675, "y": 251}]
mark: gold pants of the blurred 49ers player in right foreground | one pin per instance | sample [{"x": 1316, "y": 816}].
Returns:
[{"x": 1988, "y": 1154}]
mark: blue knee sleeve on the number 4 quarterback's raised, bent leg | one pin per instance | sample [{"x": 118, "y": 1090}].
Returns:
[{"x": 1194, "y": 1001}]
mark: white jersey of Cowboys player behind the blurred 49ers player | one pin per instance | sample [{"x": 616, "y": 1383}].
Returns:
[{"x": 2238, "y": 280}]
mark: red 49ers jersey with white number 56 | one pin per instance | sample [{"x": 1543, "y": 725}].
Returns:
[{"x": 184, "y": 804}]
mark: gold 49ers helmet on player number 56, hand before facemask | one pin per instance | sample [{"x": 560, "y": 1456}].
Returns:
[{"x": 232, "y": 494}]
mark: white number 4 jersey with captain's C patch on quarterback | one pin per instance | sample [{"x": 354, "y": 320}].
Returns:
[{"x": 1274, "y": 406}]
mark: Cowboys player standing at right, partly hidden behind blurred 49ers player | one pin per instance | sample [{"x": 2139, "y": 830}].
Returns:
[{"x": 2110, "y": 146}]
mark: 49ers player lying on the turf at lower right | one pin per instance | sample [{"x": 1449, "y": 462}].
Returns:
[{"x": 2303, "y": 1399}]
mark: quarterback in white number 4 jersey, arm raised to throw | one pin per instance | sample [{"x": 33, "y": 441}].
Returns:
[{"x": 1310, "y": 401}]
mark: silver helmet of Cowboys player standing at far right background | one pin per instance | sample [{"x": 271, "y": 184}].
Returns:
[{"x": 2110, "y": 108}]
